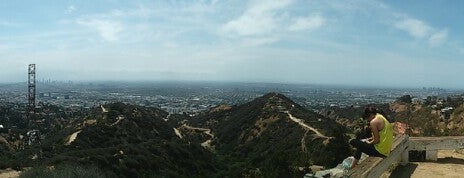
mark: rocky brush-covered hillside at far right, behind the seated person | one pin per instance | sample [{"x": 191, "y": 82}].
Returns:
[{"x": 430, "y": 117}]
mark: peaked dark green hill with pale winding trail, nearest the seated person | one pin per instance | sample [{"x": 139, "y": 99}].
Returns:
[{"x": 271, "y": 136}]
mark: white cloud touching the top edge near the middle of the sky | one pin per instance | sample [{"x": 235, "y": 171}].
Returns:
[{"x": 261, "y": 17}]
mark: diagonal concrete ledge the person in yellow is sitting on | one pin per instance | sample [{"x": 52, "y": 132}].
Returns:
[{"x": 375, "y": 166}]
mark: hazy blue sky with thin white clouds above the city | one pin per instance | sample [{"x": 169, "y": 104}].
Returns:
[{"x": 395, "y": 43}]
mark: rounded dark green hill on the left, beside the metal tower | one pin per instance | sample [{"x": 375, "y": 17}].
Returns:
[{"x": 122, "y": 141}]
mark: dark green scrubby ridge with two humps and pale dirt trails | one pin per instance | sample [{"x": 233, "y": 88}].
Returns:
[{"x": 270, "y": 136}]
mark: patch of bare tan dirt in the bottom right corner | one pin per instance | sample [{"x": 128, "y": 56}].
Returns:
[{"x": 449, "y": 164}]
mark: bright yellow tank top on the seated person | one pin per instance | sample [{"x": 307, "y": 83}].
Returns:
[{"x": 386, "y": 137}]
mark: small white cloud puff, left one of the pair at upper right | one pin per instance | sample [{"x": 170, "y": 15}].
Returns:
[{"x": 414, "y": 27}]
